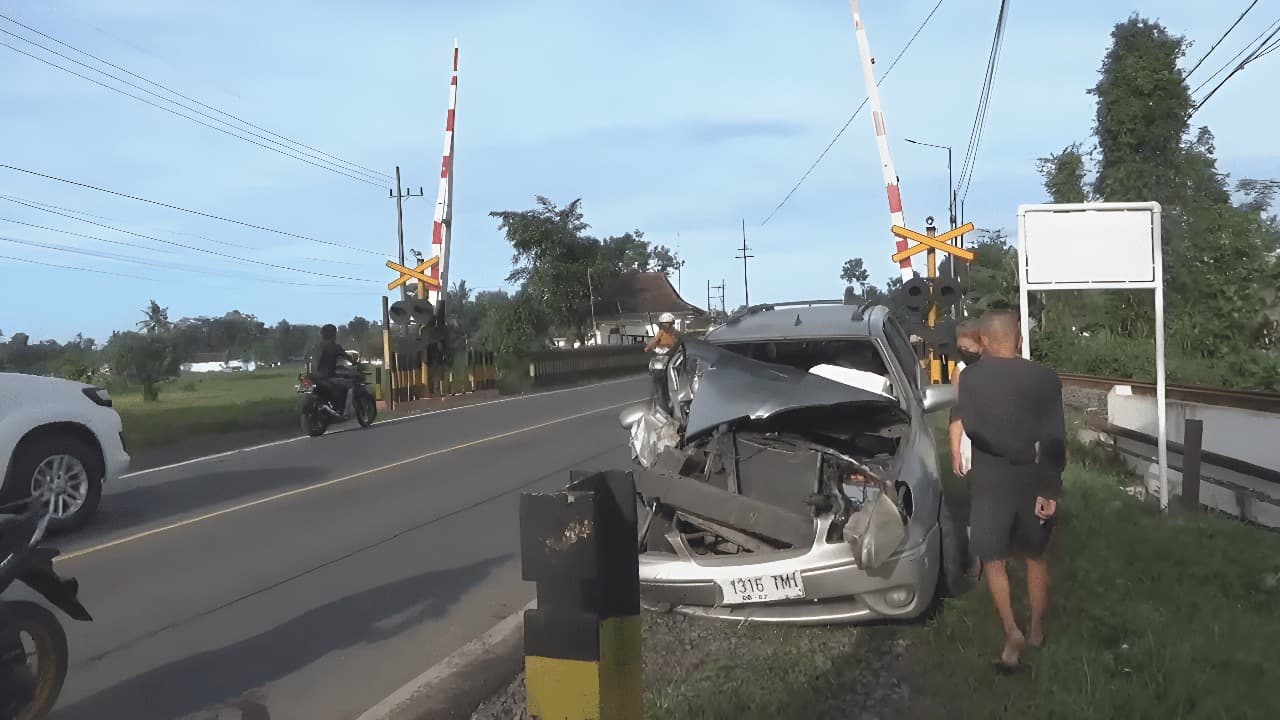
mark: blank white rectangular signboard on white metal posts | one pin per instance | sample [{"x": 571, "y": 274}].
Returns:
[{"x": 1098, "y": 247}]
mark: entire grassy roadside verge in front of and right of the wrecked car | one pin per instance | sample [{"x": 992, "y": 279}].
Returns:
[{"x": 1153, "y": 617}]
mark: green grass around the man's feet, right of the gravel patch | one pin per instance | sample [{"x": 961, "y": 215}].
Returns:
[{"x": 1151, "y": 617}]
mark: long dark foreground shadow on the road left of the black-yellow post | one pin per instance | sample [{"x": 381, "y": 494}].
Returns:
[{"x": 222, "y": 676}]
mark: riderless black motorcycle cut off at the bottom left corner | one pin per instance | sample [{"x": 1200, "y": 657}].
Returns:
[{"x": 34, "y": 655}]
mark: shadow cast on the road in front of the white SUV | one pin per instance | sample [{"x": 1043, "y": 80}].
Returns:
[{"x": 150, "y": 503}]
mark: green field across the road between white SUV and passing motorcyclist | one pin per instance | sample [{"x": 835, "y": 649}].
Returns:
[{"x": 203, "y": 404}]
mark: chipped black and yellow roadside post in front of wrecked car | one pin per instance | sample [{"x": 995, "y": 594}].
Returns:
[{"x": 583, "y": 642}]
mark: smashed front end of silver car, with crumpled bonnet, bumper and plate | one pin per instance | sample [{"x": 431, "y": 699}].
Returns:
[{"x": 785, "y": 502}]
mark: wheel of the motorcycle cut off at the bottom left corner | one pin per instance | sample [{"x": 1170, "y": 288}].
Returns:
[{"x": 22, "y": 618}]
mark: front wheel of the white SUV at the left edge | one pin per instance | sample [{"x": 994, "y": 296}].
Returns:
[{"x": 63, "y": 472}]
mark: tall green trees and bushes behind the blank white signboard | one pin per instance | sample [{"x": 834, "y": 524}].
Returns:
[{"x": 1222, "y": 239}]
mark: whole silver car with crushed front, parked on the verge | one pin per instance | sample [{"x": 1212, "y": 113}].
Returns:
[{"x": 792, "y": 477}]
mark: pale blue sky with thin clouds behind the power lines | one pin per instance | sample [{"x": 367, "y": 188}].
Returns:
[{"x": 669, "y": 117}]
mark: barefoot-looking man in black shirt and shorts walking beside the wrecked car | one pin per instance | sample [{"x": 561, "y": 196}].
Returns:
[{"x": 1012, "y": 409}]
